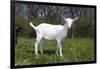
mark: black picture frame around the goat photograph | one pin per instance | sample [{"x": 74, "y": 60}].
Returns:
[{"x": 12, "y": 52}]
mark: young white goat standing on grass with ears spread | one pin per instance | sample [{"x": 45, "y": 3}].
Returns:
[{"x": 51, "y": 32}]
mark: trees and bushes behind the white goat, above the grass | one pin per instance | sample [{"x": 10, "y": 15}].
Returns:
[{"x": 24, "y": 13}]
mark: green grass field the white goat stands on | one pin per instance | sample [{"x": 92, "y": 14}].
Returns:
[{"x": 74, "y": 50}]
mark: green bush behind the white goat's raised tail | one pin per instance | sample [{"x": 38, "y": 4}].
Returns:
[{"x": 24, "y": 29}]
